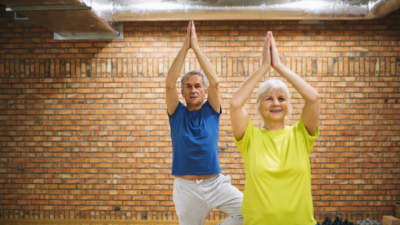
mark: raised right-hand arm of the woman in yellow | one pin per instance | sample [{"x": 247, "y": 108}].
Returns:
[{"x": 311, "y": 110}]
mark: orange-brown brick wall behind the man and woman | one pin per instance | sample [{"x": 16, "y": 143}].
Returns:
[{"x": 84, "y": 130}]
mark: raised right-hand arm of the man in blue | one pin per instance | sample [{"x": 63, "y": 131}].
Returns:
[{"x": 213, "y": 90}]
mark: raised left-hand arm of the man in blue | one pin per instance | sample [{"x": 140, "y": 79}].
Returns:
[{"x": 172, "y": 97}]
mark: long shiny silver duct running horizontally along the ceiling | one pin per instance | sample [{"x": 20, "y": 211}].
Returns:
[{"x": 166, "y": 10}]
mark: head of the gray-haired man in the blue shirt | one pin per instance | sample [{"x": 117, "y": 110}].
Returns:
[{"x": 193, "y": 90}]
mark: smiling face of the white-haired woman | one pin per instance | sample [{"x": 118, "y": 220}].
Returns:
[{"x": 274, "y": 107}]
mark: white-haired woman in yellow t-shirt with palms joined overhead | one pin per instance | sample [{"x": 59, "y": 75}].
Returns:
[{"x": 278, "y": 179}]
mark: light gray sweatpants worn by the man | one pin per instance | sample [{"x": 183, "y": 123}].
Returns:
[{"x": 194, "y": 200}]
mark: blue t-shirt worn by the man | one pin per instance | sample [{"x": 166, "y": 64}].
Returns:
[{"x": 194, "y": 137}]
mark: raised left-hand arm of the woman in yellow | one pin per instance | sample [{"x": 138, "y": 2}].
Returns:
[{"x": 239, "y": 116}]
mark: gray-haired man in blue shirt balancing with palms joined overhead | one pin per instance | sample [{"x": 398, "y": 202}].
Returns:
[{"x": 199, "y": 185}]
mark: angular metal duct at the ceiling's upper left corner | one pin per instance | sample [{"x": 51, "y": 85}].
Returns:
[{"x": 67, "y": 18}]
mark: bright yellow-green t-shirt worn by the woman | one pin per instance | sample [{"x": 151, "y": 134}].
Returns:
[{"x": 278, "y": 176}]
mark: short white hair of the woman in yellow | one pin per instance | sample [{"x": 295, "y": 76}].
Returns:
[{"x": 271, "y": 86}]
